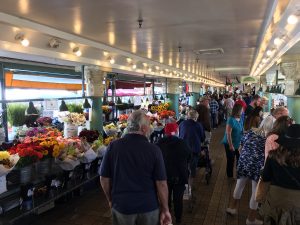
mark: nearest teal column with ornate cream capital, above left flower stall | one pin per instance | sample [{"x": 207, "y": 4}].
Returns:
[{"x": 95, "y": 89}]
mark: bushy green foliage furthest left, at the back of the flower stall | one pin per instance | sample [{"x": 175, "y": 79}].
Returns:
[{"x": 16, "y": 114}]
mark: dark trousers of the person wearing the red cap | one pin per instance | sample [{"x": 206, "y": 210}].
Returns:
[{"x": 176, "y": 192}]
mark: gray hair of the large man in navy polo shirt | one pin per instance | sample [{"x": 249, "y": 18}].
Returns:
[{"x": 136, "y": 120}]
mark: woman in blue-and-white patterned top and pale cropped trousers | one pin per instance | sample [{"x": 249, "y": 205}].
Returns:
[{"x": 250, "y": 163}]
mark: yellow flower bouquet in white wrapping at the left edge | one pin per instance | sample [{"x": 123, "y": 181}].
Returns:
[{"x": 7, "y": 163}]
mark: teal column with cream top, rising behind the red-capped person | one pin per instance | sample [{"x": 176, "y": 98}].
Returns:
[{"x": 173, "y": 91}]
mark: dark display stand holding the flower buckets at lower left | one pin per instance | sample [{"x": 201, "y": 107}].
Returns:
[{"x": 13, "y": 212}]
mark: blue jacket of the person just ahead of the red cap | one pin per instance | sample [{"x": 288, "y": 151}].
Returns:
[{"x": 193, "y": 134}]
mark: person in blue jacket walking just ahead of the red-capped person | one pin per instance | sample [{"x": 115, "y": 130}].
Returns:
[{"x": 193, "y": 133}]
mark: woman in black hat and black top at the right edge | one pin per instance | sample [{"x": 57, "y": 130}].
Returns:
[{"x": 282, "y": 171}]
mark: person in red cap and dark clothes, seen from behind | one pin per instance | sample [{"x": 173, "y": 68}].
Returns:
[{"x": 176, "y": 154}]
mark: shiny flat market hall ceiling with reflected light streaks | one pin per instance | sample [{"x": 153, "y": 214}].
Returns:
[{"x": 172, "y": 31}]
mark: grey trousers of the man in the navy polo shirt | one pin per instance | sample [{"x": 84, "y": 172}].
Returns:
[{"x": 149, "y": 218}]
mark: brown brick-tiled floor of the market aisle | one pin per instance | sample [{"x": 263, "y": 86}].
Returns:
[{"x": 91, "y": 208}]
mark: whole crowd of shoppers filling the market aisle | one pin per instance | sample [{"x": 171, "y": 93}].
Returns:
[{"x": 144, "y": 182}]
